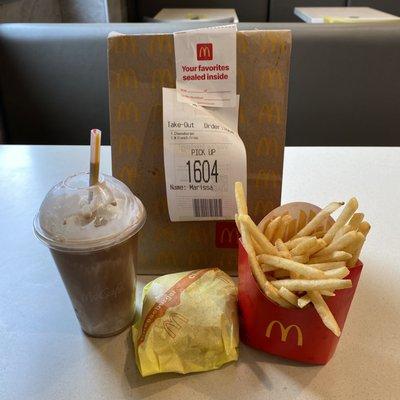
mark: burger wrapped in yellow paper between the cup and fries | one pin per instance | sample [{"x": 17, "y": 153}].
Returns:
[{"x": 188, "y": 323}]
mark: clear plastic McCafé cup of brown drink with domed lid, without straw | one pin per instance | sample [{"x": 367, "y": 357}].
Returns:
[{"x": 92, "y": 233}]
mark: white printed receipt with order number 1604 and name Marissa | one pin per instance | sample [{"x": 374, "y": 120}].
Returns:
[{"x": 203, "y": 157}]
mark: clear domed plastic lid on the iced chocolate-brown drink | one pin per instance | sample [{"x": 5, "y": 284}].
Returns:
[{"x": 77, "y": 217}]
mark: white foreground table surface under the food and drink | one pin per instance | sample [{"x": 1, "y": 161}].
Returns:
[{"x": 45, "y": 356}]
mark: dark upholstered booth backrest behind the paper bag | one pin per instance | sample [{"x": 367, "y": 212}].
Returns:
[{"x": 344, "y": 82}]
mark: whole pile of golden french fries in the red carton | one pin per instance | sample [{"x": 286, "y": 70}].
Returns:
[{"x": 297, "y": 261}]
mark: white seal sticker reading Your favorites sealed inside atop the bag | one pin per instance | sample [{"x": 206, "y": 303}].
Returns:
[{"x": 206, "y": 66}]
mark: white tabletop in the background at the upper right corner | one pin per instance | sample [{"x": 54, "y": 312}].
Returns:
[{"x": 316, "y": 15}]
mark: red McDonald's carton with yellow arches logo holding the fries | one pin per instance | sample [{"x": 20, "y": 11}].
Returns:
[{"x": 295, "y": 334}]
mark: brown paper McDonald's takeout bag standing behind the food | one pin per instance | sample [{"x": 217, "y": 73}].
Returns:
[{"x": 139, "y": 67}]
